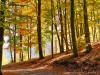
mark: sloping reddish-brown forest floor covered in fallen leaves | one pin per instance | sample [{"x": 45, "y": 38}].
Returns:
[{"x": 61, "y": 64}]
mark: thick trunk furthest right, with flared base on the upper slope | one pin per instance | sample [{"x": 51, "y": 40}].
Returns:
[{"x": 86, "y": 28}]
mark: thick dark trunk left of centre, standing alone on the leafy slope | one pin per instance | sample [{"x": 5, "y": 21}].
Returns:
[{"x": 39, "y": 30}]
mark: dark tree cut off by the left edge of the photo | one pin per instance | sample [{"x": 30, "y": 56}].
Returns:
[{"x": 2, "y": 18}]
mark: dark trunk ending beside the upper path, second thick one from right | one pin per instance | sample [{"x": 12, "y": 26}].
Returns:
[{"x": 73, "y": 30}]
